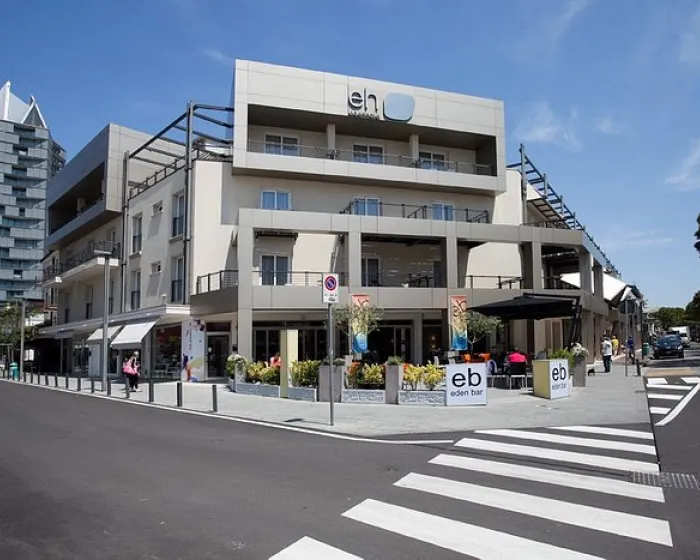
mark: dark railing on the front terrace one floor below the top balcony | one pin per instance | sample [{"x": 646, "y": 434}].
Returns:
[{"x": 424, "y": 212}]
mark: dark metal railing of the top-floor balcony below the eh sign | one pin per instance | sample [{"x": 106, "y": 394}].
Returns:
[{"x": 398, "y": 160}]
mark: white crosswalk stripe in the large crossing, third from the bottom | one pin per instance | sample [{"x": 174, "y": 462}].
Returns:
[{"x": 608, "y": 521}]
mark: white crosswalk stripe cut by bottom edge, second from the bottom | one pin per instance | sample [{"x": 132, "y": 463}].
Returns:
[{"x": 470, "y": 540}]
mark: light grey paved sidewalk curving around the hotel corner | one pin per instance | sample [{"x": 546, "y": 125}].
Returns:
[{"x": 607, "y": 399}]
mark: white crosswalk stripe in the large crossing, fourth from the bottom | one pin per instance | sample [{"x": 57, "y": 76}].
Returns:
[{"x": 558, "y": 478}]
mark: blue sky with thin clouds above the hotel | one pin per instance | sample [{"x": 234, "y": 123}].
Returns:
[{"x": 602, "y": 92}]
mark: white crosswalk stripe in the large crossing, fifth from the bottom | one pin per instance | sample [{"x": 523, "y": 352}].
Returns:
[{"x": 613, "y": 463}]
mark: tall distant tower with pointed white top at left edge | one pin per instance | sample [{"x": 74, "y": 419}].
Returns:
[{"x": 28, "y": 157}]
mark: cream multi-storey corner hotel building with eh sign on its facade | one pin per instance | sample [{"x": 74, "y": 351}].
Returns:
[{"x": 403, "y": 191}]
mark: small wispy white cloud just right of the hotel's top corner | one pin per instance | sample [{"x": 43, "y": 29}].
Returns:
[{"x": 542, "y": 125}]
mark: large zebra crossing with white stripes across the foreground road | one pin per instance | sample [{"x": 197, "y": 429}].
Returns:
[{"x": 552, "y": 493}]
